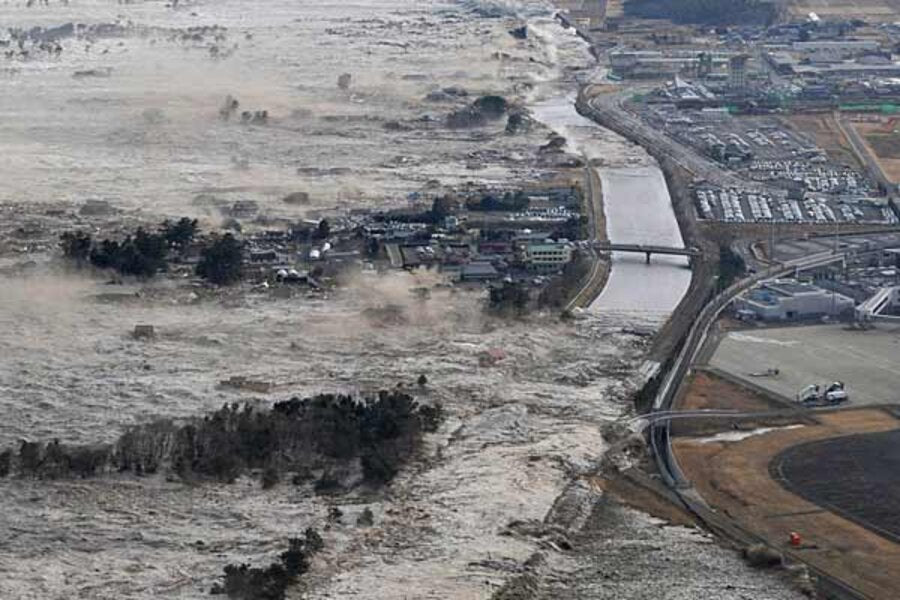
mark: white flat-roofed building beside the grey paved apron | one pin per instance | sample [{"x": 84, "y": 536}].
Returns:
[{"x": 788, "y": 300}]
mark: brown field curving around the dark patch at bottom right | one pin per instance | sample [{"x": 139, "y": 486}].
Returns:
[{"x": 734, "y": 477}]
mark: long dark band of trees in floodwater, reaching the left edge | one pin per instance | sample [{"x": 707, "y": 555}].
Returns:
[{"x": 379, "y": 434}]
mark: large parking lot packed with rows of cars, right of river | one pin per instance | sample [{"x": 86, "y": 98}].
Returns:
[{"x": 789, "y": 178}]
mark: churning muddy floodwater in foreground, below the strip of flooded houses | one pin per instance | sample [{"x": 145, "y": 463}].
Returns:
[{"x": 516, "y": 434}]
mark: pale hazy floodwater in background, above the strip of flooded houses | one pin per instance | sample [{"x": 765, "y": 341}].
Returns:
[{"x": 128, "y": 110}]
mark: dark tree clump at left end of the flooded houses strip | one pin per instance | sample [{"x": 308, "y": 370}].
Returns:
[{"x": 145, "y": 253}]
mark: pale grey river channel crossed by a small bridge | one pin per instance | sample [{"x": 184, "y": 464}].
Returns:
[{"x": 636, "y": 202}]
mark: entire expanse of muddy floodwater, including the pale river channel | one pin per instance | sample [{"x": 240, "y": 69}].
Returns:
[{"x": 125, "y": 106}]
